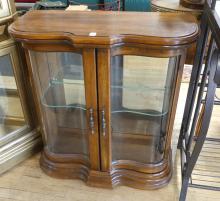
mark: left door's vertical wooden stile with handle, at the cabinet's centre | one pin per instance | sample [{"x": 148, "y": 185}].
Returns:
[{"x": 89, "y": 64}]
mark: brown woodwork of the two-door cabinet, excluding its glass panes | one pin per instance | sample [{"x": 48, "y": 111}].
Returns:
[{"x": 116, "y": 33}]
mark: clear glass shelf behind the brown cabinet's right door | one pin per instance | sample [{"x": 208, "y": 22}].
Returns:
[{"x": 145, "y": 100}]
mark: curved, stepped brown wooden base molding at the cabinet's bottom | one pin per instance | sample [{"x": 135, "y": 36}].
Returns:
[{"x": 70, "y": 169}]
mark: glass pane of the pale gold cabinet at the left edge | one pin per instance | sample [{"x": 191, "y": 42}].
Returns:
[{"x": 11, "y": 114}]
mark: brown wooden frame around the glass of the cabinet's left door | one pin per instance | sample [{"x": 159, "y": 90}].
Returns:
[{"x": 89, "y": 69}]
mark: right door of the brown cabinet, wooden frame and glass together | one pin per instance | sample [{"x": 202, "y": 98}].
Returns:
[{"x": 136, "y": 98}]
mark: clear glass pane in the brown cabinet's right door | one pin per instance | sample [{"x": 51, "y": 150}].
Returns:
[{"x": 140, "y": 97}]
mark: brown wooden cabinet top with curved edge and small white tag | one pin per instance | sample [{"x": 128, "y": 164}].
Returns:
[{"x": 107, "y": 28}]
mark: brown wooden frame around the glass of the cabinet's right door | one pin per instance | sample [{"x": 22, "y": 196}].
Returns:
[{"x": 104, "y": 95}]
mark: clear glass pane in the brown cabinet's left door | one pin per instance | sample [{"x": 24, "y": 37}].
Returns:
[{"x": 60, "y": 82}]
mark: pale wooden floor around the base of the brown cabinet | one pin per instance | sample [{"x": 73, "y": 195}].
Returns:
[{"x": 27, "y": 182}]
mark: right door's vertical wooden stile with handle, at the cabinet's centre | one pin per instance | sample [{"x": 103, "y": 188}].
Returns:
[{"x": 104, "y": 99}]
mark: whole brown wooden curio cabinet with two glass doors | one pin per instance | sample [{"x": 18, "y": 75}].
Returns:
[{"x": 106, "y": 87}]
